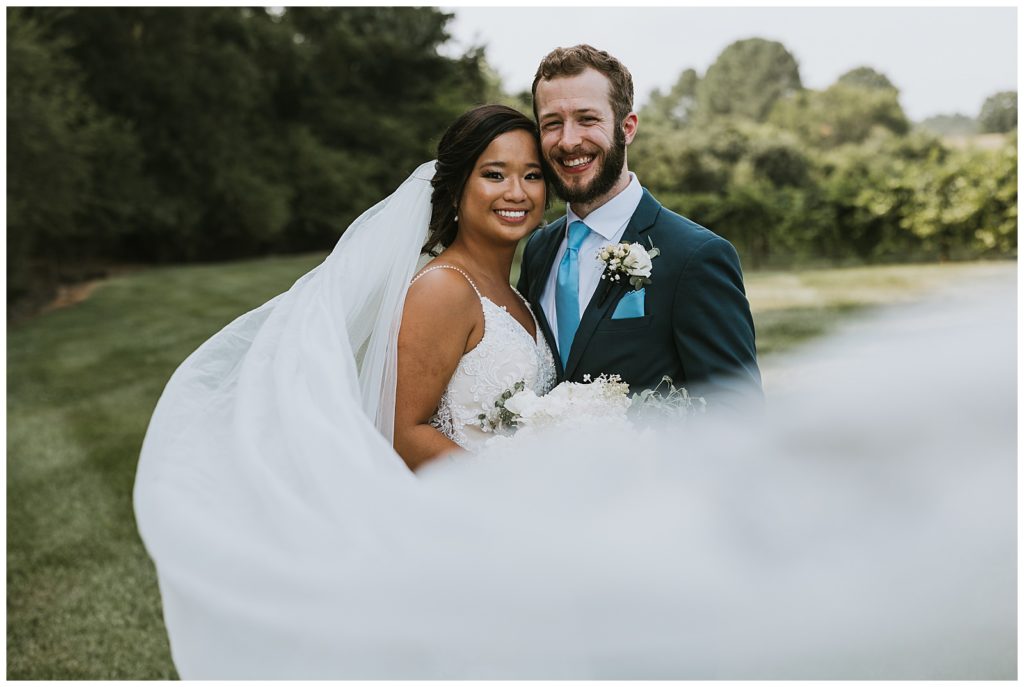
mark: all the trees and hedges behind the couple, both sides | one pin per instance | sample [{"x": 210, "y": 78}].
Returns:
[{"x": 150, "y": 136}]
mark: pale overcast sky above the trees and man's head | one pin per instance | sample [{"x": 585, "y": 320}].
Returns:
[{"x": 944, "y": 60}]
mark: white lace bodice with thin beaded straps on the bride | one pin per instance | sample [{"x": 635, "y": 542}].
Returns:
[{"x": 506, "y": 355}]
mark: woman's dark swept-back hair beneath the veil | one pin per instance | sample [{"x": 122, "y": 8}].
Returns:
[{"x": 458, "y": 152}]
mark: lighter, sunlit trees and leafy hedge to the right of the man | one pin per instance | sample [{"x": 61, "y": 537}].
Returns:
[{"x": 839, "y": 176}]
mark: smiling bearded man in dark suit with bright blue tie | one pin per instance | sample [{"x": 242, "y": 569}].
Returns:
[{"x": 692, "y": 322}]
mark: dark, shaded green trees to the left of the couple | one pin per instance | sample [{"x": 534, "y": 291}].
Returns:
[{"x": 181, "y": 135}]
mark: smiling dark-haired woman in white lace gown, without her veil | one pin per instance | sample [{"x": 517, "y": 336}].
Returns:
[{"x": 466, "y": 334}]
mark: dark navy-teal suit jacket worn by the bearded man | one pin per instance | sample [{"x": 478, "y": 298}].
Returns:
[{"x": 697, "y": 327}]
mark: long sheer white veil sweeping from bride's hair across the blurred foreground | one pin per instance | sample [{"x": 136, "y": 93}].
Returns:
[{"x": 846, "y": 538}]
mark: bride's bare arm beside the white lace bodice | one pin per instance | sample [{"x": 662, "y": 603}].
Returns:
[{"x": 441, "y": 322}]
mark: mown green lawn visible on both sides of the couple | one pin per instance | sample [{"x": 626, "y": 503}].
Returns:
[{"x": 82, "y": 597}]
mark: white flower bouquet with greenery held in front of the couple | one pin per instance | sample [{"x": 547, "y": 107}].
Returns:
[{"x": 603, "y": 402}]
